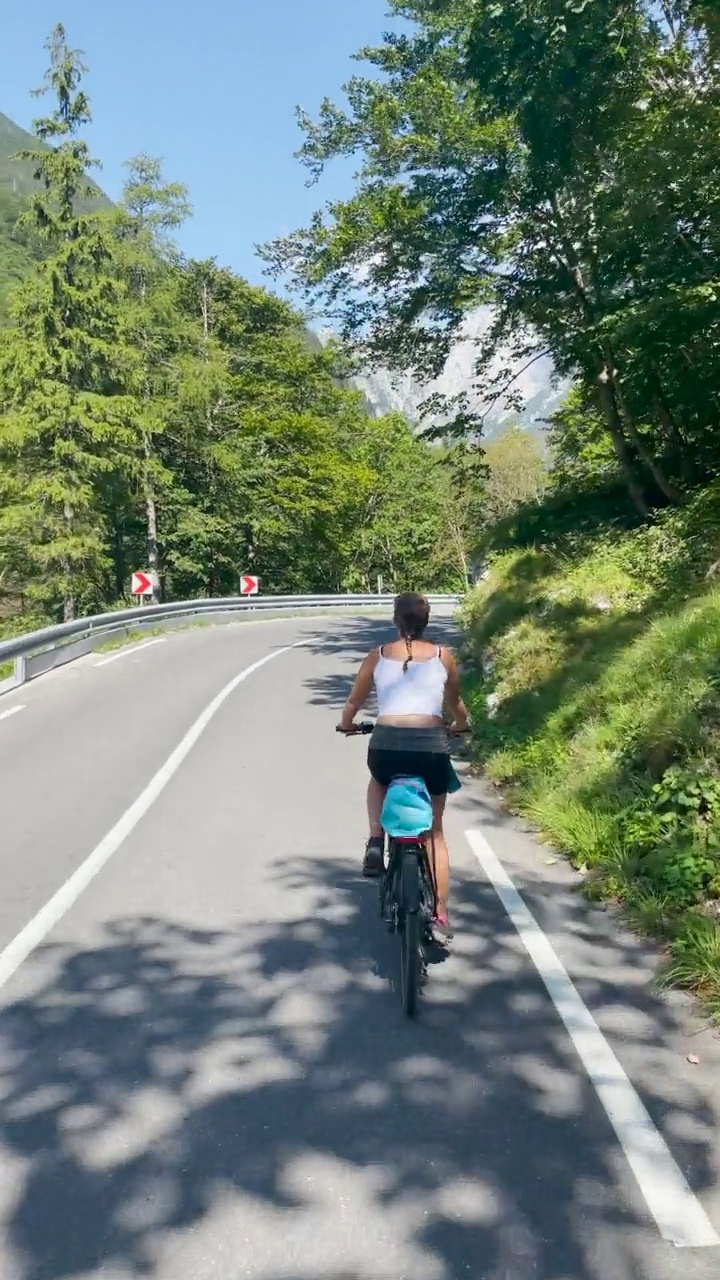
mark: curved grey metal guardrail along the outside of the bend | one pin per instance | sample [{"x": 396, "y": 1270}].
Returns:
[{"x": 43, "y": 651}]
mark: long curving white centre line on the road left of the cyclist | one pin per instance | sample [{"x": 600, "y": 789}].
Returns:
[{"x": 29, "y": 939}]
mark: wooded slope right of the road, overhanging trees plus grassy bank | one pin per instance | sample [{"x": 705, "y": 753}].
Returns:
[{"x": 559, "y": 162}]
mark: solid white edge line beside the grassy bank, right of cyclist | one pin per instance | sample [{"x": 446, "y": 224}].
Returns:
[{"x": 680, "y": 1215}]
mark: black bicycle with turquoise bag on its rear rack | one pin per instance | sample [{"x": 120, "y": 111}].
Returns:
[{"x": 408, "y": 889}]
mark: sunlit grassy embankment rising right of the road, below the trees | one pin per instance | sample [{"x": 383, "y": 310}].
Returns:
[{"x": 595, "y": 696}]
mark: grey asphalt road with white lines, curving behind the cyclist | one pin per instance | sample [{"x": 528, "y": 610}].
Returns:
[{"x": 206, "y": 1073}]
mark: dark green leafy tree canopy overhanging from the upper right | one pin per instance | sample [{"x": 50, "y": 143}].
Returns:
[{"x": 558, "y": 161}]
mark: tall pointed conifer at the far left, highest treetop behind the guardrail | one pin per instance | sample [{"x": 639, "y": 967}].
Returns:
[{"x": 67, "y": 426}]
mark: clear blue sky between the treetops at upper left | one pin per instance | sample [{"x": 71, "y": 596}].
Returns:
[{"x": 211, "y": 88}]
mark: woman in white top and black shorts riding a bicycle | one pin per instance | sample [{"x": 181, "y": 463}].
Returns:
[{"x": 414, "y": 682}]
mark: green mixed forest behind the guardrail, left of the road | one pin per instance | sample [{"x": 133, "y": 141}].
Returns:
[{"x": 163, "y": 414}]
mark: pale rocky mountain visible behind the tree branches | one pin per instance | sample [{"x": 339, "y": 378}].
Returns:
[{"x": 541, "y": 394}]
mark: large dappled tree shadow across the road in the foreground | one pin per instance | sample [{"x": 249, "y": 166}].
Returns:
[{"x": 167, "y": 1077}]
